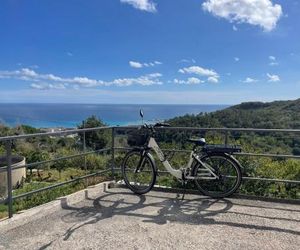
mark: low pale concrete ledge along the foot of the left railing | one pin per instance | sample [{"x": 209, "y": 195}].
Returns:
[{"x": 22, "y": 217}]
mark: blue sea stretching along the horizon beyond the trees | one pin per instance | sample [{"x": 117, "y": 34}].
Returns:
[{"x": 70, "y": 115}]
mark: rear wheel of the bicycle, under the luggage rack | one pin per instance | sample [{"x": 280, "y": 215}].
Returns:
[{"x": 226, "y": 169}]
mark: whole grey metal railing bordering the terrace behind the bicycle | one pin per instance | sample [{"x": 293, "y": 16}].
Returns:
[{"x": 8, "y": 140}]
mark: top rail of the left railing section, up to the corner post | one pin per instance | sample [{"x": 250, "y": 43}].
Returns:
[{"x": 65, "y": 132}]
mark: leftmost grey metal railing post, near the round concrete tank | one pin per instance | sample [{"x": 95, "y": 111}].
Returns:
[{"x": 9, "y": 179}]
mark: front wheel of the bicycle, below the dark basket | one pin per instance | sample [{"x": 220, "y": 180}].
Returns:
[{"x": 139, "y": 171}]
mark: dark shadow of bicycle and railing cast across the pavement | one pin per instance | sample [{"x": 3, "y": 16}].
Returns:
[{"x": 199, "y": 211}]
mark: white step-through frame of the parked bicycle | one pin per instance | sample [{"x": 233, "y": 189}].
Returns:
[{"x": 180, "y": 173}]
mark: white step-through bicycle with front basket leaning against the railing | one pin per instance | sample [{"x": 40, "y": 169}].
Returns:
[{"x": 214, "y": 170}]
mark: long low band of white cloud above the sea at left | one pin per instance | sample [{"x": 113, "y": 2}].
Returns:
[{"x": 57, "y": 82}]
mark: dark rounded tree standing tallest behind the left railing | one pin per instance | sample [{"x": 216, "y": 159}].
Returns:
[{"x": 95, "y": 139}]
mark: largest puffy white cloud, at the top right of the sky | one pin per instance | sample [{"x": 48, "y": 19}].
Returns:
[{"x": 255, "y": 12}]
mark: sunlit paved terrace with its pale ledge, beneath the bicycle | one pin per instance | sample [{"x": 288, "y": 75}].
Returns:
[{"x": 114, "y": 218}]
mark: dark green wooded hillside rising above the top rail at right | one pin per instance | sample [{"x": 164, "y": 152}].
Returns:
[{"x": 278, "y": 114}]
